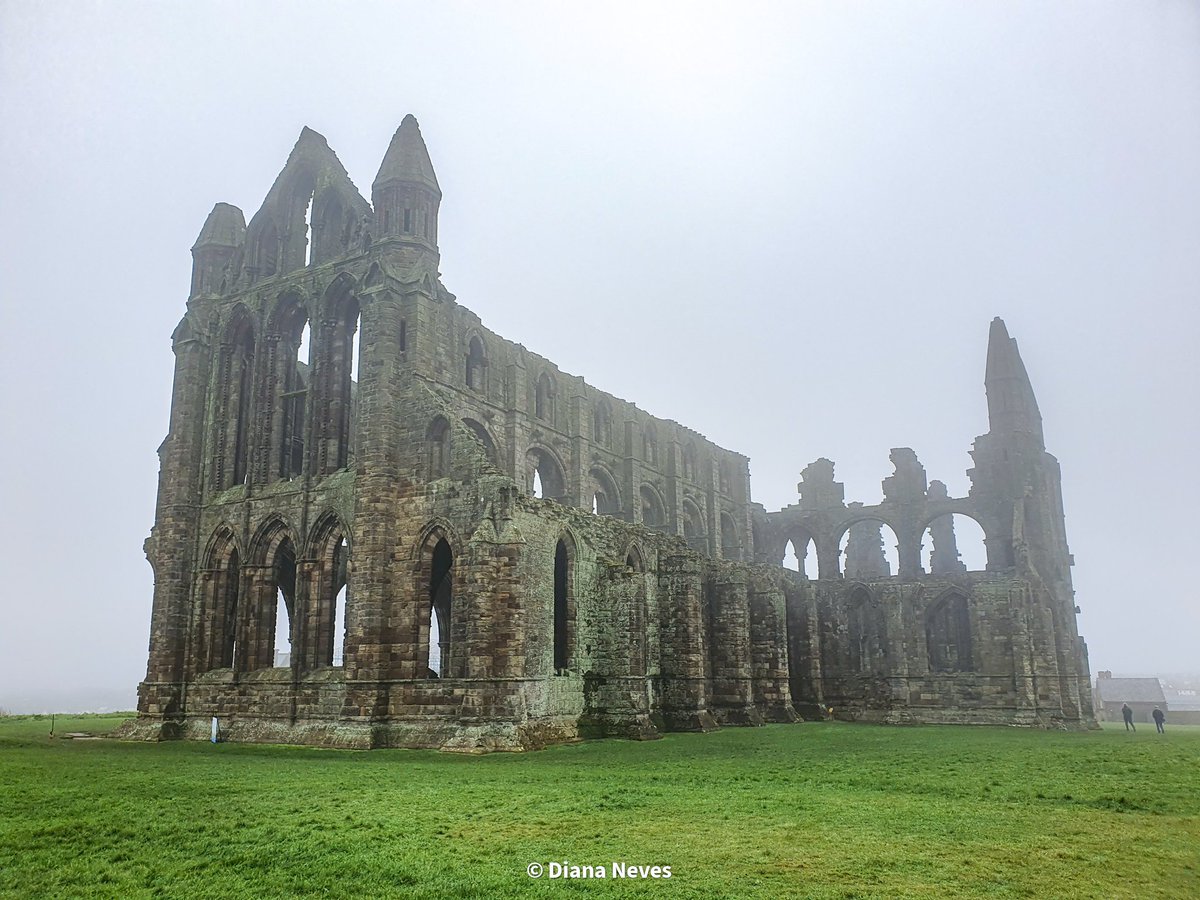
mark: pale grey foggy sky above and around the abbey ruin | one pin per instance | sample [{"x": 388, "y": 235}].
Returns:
[{"x": 784, "y": 225}]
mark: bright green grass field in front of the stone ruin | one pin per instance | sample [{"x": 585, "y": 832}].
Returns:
[{"x": 824, "y": 811}]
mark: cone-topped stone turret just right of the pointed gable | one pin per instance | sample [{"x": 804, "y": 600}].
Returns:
[{"x": 406, "y": 195}]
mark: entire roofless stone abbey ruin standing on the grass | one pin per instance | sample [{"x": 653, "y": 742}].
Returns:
[{"x": 463, "y": 547}]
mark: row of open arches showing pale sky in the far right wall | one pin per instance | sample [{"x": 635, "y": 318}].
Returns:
[{"x": 869, "y": 549}]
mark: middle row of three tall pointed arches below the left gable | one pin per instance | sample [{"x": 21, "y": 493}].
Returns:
[{"x": 286, "y": 399}]
